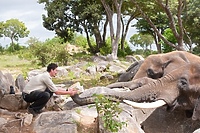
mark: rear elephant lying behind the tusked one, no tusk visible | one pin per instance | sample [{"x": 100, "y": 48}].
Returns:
[{"x": 158, "y": 65}]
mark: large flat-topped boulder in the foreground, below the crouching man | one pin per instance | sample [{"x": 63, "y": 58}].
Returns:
[{"x": 55, "y": 122}]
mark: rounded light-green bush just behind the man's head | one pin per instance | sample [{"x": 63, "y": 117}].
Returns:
[{"x": 52, "y": 50}]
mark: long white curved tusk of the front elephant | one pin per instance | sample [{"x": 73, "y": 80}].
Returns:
[{"x": 155, "y": 104}]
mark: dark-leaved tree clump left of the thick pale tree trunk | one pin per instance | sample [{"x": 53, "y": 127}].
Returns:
[{"x": 65, "y": 17}]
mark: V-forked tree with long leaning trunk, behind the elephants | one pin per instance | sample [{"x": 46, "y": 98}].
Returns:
[{"x": 173, "y": 11}]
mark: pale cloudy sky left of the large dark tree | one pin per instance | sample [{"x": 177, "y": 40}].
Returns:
[{"x": 30, "y": 13}]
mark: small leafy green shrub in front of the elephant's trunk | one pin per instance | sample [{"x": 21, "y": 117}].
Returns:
[{"x": 108, "y": 111}]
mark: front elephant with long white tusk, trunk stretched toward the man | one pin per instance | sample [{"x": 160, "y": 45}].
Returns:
[{"x": 178, "y": 89}]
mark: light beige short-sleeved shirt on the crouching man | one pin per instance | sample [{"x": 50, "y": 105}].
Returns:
[{"x": 40, "y": 82}]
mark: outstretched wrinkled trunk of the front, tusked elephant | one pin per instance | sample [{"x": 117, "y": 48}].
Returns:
[{"x": 153, "y": 91}]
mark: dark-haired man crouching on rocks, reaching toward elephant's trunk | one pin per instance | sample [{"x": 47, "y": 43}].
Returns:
[{"x": 40, "y": 88}]
